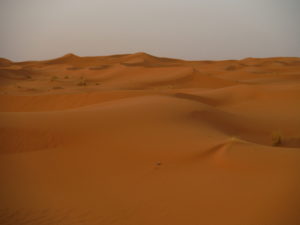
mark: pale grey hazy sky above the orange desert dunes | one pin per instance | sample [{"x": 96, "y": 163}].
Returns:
[{"x": 190, "y": 29}]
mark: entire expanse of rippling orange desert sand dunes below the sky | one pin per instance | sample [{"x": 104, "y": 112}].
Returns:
[{"x": 142, "y": 140}]
